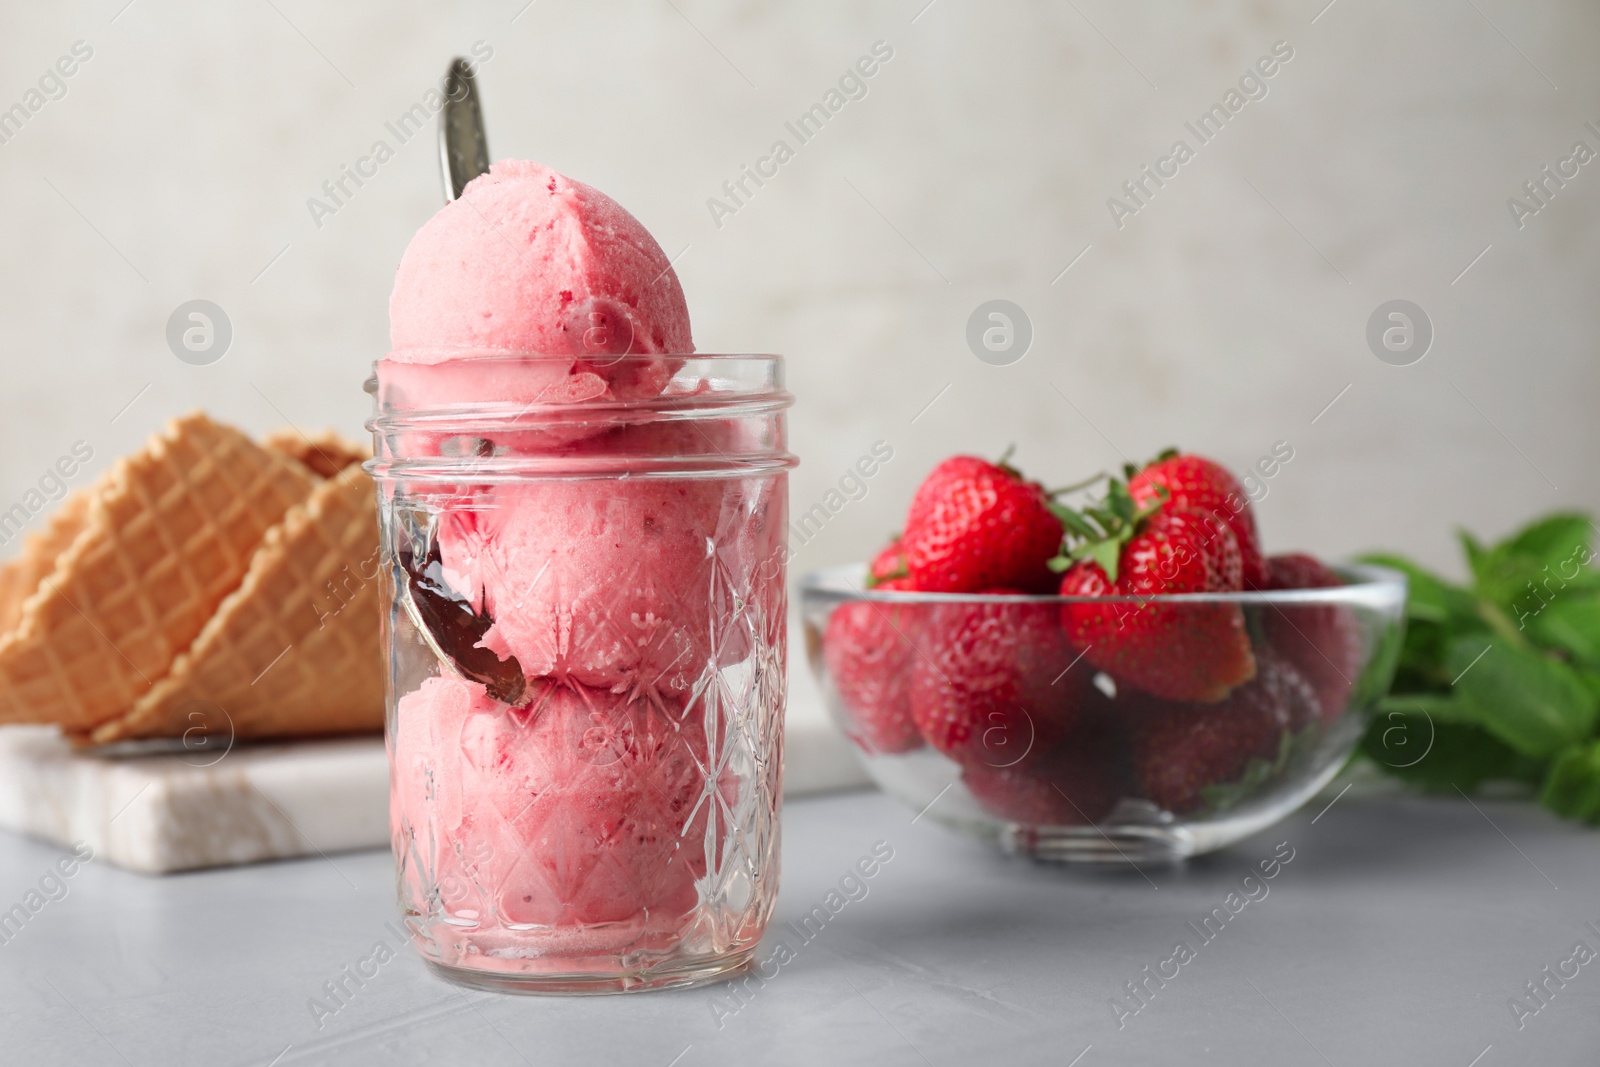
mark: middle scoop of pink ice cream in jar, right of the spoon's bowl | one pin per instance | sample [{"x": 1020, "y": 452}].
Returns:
[{"x": 615, "y": 589}]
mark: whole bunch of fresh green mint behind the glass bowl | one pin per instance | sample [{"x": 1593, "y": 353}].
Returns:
[{"x": 1500, "y": 677}]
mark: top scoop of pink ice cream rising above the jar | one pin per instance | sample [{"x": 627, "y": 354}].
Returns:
[{"x": 529, "y": 262}]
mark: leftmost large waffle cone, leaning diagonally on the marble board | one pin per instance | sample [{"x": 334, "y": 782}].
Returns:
[{"x": 166, "y": 538}]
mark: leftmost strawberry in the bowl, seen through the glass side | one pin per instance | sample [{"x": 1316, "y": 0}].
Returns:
[{"x": 870, "y": 655}]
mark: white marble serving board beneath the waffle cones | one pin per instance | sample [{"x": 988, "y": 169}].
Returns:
[{"x": 175, "y": 810}]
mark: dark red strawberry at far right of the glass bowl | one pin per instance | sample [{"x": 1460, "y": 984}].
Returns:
[{"x": 1324, "y": 642}]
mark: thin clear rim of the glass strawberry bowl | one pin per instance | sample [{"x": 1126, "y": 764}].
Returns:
[{"x": 1367, "y": 583}]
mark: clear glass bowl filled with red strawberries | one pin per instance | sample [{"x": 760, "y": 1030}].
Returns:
[{"x": 1185, "y": 725}]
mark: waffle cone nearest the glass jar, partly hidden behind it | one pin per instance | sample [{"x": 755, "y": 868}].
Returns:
[{"x": 295, "y": 650}]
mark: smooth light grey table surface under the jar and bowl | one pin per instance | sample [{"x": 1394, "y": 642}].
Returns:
[{"x": 1396, "y": 935}]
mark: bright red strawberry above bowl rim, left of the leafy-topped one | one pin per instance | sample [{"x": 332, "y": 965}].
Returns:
[{"x": 978, "y": 526}]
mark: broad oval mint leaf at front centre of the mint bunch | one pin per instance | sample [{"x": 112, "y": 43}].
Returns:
[{"x": 1529, "y": 700}]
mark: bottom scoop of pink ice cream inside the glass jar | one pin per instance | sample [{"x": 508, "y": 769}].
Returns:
[{"x": 577, "y": 813}]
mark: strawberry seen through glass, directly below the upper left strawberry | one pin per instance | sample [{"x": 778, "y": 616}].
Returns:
[{"x": 983, "y": 692}]
